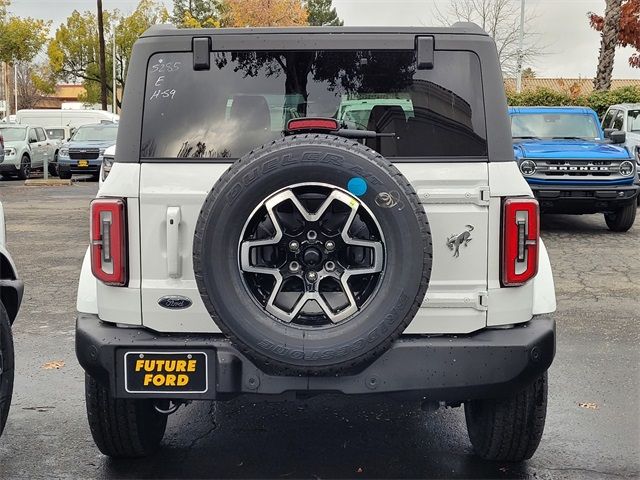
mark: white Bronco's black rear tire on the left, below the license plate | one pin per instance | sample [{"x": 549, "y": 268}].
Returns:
[{"x": 122, "y": 428}]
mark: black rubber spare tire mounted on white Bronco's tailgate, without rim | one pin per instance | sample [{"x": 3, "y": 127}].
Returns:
[{"x": 341, "y": 347}]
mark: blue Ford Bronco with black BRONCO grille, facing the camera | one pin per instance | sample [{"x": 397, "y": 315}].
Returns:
[{"x": 573, "y": 166}]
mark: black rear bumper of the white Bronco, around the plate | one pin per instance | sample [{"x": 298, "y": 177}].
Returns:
[{"x": 488, "y": 363}]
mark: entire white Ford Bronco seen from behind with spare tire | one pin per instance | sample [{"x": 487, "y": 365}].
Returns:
[{"x": 294, "y": 212}]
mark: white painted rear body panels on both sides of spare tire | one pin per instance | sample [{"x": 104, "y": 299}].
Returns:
[{"x": 454, "y": 195}]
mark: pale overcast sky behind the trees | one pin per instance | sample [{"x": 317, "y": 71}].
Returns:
[{"x": 570, "y": 45}]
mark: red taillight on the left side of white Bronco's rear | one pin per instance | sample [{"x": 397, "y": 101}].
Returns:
[{"x": 108, "y": 241}]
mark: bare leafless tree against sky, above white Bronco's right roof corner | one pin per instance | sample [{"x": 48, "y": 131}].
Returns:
[{"x": 501, "y": 20}]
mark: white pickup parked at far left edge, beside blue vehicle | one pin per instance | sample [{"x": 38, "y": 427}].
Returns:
[{"x": 26, "y": 148}]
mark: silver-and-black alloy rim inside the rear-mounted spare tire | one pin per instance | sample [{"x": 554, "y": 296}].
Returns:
[{"x": 312, "y": 290}]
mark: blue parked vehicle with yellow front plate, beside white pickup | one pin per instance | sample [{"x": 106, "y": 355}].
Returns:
[{"x": 83, "y": 152}]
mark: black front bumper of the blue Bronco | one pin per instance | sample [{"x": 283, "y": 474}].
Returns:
[{"x": 584, "y": 199}]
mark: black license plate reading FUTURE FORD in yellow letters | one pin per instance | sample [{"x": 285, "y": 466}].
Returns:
[{"x": 166, "y": 372}]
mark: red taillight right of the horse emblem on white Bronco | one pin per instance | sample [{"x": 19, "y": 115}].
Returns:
[{"x": 520, "y": 240}]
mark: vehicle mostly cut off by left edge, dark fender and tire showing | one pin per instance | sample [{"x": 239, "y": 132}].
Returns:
[{"x": 11, "y": 290}]
